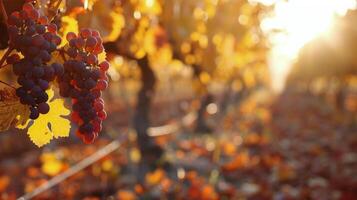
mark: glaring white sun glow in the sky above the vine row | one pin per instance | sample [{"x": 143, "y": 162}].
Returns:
[{"x": 299, "y": 21}]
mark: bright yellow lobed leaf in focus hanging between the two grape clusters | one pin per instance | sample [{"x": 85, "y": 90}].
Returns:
[{"x": 51, "y": 125}]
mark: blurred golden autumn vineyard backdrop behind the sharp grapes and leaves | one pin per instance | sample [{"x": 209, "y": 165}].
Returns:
[{"x": 208, "y": 99}]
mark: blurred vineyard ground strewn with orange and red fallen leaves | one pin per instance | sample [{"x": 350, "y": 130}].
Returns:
[{"x": 293, "y": 146}]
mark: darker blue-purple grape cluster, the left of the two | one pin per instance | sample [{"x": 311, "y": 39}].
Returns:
[{"x": 35, "y": 38}]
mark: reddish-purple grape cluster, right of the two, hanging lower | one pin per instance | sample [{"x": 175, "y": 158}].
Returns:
[{"x": 83, "y": 81}]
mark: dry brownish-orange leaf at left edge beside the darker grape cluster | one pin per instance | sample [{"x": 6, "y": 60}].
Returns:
[{"x": 12, "y": 112}]
